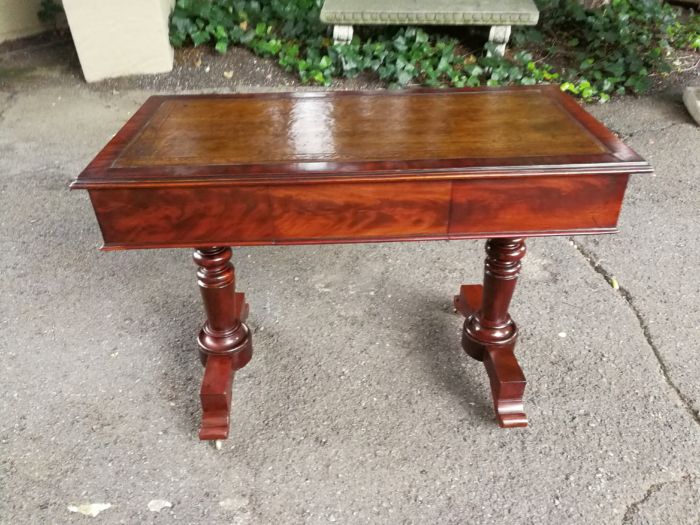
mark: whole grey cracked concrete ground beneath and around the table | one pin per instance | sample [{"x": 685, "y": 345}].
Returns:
[{"x": 359, "y": 405}]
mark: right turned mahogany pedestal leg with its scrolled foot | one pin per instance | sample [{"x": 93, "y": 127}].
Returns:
[{"x": 490, "y": 334}]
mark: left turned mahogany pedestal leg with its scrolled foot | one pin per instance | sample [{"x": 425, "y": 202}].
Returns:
[{"x": 225, "y": 342}]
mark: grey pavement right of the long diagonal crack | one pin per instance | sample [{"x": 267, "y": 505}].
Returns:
[{"x": 659, "y": 228}]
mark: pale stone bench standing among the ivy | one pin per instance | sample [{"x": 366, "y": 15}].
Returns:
[{"x": 499, "y": 14}]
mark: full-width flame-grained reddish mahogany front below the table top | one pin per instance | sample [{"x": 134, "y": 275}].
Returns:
[{"x": 342, "y": 212}]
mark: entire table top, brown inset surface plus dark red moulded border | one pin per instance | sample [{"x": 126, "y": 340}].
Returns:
[{"x": 322, "y": 136}]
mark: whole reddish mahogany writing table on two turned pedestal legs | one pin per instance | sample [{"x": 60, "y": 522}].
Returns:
[{"x": 211, "y": 171}]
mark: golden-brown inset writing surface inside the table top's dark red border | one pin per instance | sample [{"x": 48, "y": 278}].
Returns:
[{"x": 344, "y": 129}]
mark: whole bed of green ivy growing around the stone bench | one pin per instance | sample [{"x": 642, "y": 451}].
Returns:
[{"x": 597, "y": 53}]
